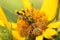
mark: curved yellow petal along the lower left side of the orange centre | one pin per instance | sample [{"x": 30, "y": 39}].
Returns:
[{"x": 15, "y": 33}]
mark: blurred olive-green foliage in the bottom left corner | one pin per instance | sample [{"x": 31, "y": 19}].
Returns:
[{"x": 4, "y": 33}]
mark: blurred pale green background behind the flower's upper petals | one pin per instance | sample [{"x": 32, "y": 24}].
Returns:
[{"x": 9, "y": 7}]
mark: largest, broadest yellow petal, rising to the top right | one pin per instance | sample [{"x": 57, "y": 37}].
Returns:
[{"x": 49, "y": 7}]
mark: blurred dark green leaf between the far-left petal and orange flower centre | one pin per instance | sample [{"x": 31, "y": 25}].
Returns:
[{"x": 10, "y": 15}]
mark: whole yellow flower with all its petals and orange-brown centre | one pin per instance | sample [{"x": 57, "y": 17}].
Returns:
[{"x": 33, "y": 22}]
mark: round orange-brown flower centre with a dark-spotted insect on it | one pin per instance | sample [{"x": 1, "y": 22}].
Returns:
[{"x": 31, "y": 23}]
